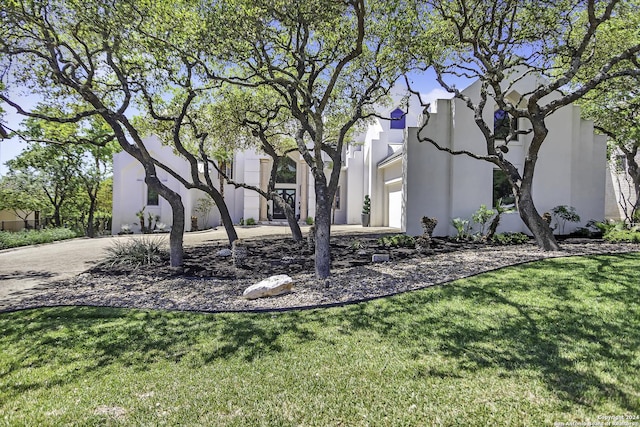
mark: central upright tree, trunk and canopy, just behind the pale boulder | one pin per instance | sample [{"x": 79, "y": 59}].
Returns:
[{"x": 328, "y": 62}]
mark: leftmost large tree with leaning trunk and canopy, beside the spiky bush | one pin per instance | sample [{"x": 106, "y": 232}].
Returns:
[{"x": 92, "y": 59}]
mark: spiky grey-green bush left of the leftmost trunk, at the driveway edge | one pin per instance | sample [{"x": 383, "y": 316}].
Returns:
[{"x": 137, "y": 251}]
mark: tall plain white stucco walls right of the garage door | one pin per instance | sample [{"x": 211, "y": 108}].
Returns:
[{"x": 570, "y": 168}]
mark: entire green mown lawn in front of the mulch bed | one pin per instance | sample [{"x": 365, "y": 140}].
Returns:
[{"x": 552, "y": 341}]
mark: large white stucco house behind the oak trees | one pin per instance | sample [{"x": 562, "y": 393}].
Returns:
[{"x": 406, "y": 179}]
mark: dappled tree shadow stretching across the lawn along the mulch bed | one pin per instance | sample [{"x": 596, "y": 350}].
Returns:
[{"x": 563, "y": 319}]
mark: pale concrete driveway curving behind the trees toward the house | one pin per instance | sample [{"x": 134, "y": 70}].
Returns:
[{"x": 26, "y": 269}]
